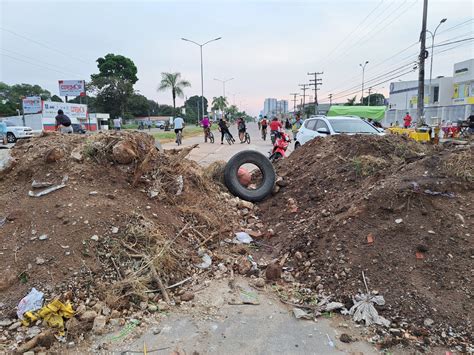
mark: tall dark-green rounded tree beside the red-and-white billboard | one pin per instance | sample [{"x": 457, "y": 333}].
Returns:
[{"x": 113, "y": 84}]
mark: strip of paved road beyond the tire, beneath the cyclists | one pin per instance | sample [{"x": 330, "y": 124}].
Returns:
[{"x": 207, "y": 153}]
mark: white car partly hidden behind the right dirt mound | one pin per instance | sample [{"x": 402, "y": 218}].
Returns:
[{"x": 322, "y": 126}]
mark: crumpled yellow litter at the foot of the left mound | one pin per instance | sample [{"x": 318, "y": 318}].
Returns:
[{"x": 53, "y": 314}]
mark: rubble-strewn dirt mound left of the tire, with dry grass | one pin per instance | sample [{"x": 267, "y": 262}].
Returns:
[{"x": 129, "y": 223}]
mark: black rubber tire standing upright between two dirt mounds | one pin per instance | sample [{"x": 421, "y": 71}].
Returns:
[{"x": 265, "y": 166}]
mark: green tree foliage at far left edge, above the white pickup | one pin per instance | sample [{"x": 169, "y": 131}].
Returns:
[{"x": 11, "y": 96}]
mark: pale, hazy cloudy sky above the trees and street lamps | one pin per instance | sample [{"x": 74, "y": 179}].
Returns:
[{"x": 267, "y": 47}]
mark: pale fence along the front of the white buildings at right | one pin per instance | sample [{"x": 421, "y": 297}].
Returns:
[{"x": 433, "y": 115}]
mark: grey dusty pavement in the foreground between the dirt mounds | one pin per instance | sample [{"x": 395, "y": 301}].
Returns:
[{"x": 210, "y": 325}]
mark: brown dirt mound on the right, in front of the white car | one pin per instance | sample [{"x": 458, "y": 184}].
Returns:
[{"x": 399, "y": 211}]
